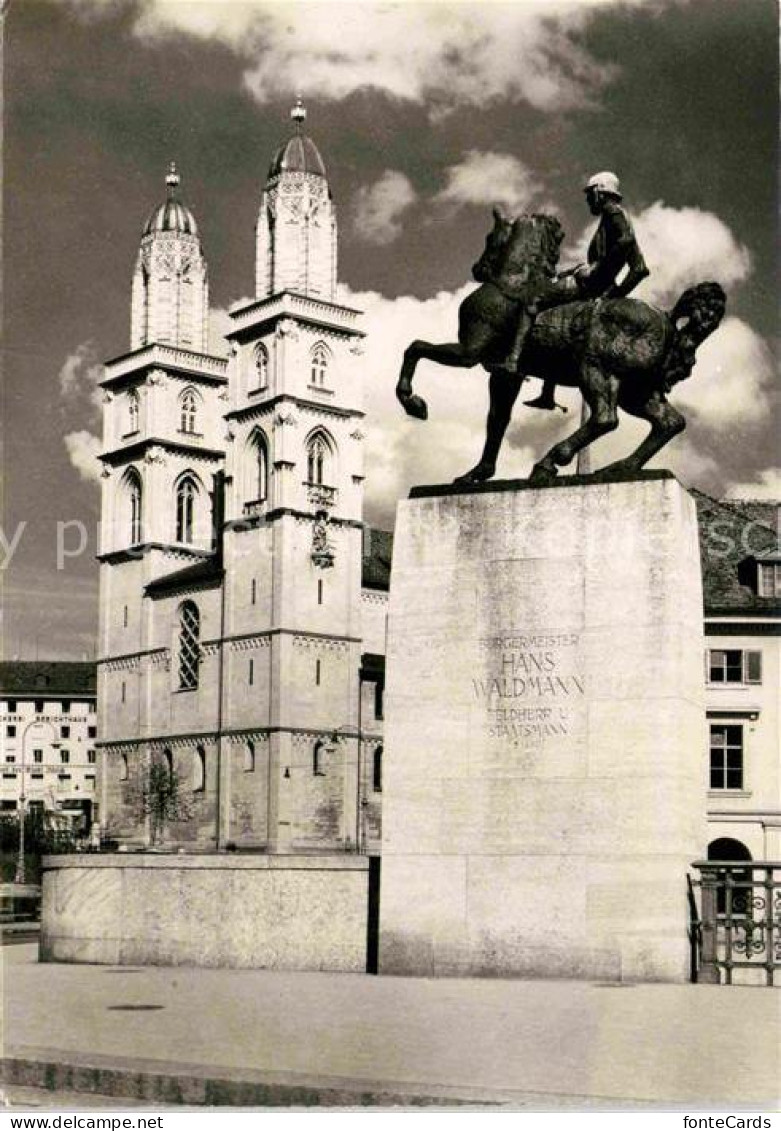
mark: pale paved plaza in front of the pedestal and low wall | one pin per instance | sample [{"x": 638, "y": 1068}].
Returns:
[{"x": 180, "y": 1034}]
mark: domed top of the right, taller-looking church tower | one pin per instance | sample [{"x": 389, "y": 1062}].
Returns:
[{"x": 297, "y": 231}]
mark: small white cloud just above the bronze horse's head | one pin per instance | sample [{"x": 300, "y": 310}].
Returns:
[{"x": 490, "y": 178}]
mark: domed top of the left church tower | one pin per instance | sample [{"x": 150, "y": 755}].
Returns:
[{"x": 171, "y": 290}]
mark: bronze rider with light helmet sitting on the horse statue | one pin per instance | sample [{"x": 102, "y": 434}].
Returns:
[{"x": 613, "y": 247}]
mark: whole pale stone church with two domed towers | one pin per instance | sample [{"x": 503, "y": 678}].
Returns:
[{"x": 242, "y": 599}]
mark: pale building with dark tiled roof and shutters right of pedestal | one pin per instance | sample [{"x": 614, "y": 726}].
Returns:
[{"x": 742, "y": 588}]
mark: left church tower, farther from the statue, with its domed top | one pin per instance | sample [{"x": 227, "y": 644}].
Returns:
[{"x": 163, "y": 445}]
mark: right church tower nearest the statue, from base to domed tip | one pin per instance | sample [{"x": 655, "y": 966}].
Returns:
[{"x": 293, "y": 542}]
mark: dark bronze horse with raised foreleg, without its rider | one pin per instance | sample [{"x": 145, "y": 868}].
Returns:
[{"x": 621, "y": 353}]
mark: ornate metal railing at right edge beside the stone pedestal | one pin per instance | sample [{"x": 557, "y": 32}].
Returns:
[{"x": 736, "y": 922}]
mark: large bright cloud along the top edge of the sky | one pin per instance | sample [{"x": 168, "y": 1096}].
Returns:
[{"x": 444, "y": 56}]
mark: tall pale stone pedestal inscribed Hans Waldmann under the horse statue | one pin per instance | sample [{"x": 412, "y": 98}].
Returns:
[{"x": 544, "y": 787}]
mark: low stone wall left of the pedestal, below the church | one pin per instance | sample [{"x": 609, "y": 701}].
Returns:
[{"x": 293, "y": 913}]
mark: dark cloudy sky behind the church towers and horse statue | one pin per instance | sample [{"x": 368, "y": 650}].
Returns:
[{"x": 427, "y": 115}]
